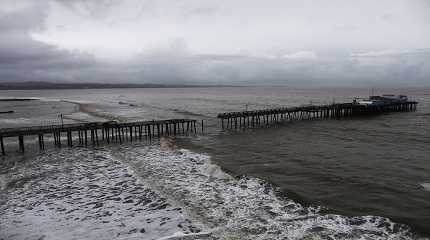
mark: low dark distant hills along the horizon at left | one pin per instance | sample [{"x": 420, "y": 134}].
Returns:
[{"x": 49, "y": 85}]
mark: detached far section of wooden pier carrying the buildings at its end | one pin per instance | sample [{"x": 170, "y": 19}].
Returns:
[{"x": 258, "y": 118}]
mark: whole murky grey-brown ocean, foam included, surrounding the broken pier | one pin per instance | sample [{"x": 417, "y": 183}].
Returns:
[{"x": 354, "y": 178}]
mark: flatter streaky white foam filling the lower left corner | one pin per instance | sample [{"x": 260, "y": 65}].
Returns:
[{"x": 85, "y": 194}]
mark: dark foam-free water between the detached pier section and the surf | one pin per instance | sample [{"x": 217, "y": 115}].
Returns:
[{"x": 354, "y": 167}]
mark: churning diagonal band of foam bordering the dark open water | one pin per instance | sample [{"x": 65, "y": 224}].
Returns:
[{"x": 244, "y": 208}]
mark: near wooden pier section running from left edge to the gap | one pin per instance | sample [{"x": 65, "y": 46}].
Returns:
[{"x": 95, "y": 133}]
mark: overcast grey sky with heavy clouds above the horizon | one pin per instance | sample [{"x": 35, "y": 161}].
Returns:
[{"x": 272, "y": 42}]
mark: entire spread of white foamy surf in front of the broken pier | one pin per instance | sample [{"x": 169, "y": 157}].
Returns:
[{"x": 146, "y": 192}]
